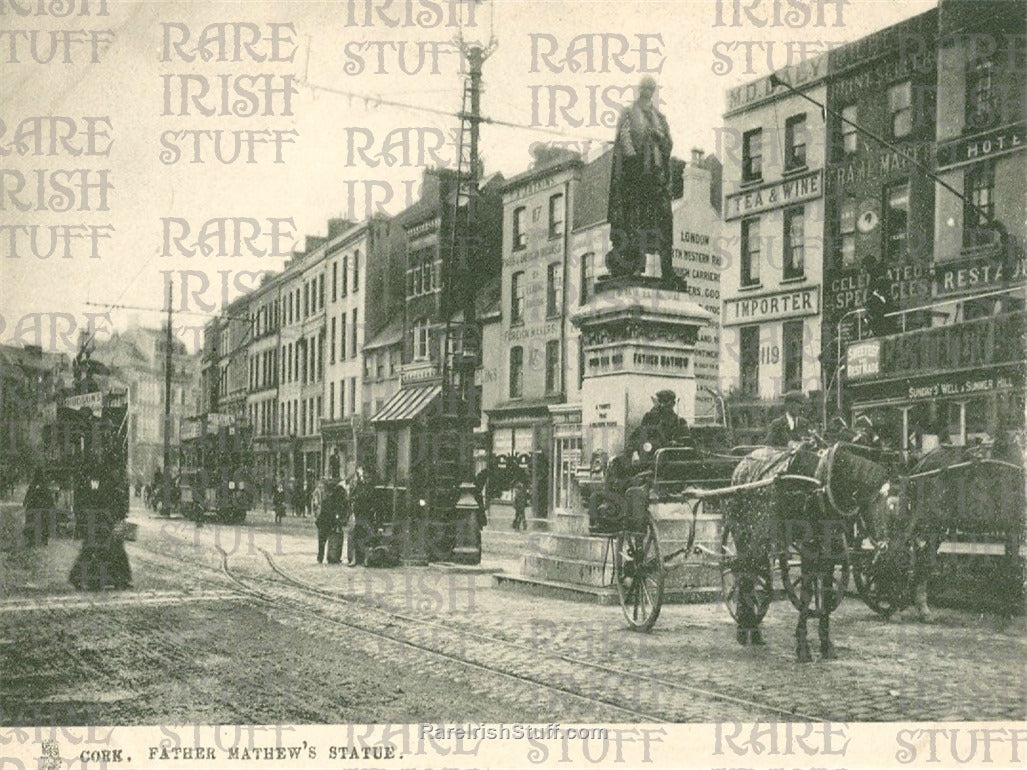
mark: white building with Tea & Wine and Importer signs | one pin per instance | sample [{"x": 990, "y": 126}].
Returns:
[{"x": 771, "y": 285}]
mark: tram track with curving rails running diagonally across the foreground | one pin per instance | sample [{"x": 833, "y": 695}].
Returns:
[{"x": 666, "y": 701}]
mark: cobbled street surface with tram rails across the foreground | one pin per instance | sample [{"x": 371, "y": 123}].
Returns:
[{"x": 229, "y": 625}]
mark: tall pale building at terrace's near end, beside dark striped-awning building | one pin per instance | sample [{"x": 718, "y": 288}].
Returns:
[{"x": 356, "y": 266}]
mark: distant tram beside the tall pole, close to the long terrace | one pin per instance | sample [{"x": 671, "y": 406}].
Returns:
[{"x": 215, "y": 481}]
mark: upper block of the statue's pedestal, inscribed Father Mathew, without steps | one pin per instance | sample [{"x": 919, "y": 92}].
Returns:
[{"x": 638, "y": 339}]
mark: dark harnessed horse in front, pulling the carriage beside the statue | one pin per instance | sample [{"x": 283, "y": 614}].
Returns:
[{"x": 801, "y": 502}]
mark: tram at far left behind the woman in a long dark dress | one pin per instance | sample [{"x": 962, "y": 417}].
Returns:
[{"x": 87, "y": 450}]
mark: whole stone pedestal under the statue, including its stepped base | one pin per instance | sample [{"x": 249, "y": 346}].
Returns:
[{"x": 638, "y": 339}]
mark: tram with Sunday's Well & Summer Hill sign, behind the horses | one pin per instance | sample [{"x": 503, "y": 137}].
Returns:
[{"x": 954, "y": 384}]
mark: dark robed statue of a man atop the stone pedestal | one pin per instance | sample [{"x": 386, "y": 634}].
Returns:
[{"x": 639, "y": 214}]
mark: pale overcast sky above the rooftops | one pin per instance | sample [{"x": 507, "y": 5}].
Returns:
[{"x": 323, "y": 175}]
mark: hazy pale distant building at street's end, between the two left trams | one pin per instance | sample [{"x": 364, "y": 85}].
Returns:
[{"x": 137, "y": 360}]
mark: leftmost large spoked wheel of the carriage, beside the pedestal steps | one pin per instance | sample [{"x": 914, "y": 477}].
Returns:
[{"x": 639, "y": 573}]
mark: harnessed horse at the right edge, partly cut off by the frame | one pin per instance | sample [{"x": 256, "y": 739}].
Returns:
[{"x": 976, "y": 490}]
